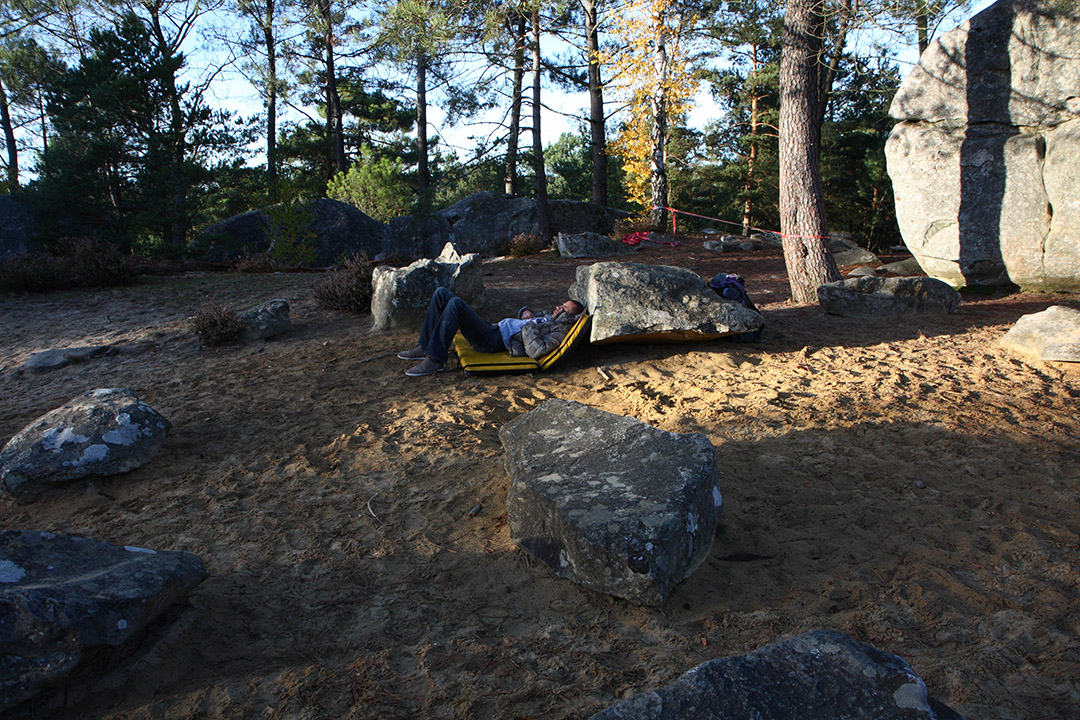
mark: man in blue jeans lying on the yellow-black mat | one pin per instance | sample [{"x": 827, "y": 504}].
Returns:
[{"x": 526, "y": 335}]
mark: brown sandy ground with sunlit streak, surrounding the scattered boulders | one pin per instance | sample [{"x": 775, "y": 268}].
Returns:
[{"x": 903, "y": 481}]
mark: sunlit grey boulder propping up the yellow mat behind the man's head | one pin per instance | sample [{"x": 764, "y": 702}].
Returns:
[{"x": 633, "y": 302}]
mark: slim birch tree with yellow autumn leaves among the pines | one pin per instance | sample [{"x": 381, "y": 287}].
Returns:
[{"x": 652, "y": 72}]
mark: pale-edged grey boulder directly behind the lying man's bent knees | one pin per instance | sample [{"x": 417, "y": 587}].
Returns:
[{"x": 400, "y": 296}]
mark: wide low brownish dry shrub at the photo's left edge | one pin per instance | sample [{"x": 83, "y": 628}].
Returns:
[{"x": 76, "y": 263}]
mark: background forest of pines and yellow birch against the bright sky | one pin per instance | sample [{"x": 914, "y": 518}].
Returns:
[{"x": 99, "y": 100}]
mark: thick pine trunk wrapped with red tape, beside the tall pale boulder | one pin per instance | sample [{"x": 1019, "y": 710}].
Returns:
[{"x": 802, "y": 203}]
